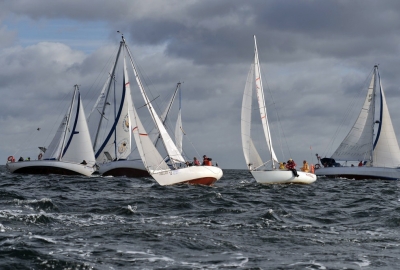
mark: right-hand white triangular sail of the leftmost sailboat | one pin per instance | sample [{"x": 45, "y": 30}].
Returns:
[{"x": 78, "y": 147}]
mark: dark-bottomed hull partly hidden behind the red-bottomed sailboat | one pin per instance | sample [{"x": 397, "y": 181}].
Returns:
[{"x": 128, "y": 168}]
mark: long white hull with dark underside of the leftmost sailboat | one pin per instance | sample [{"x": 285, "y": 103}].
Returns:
[{"x": 49, "y": 167}]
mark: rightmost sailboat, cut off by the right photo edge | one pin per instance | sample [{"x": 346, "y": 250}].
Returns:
[{"x": 371, "y": 140}]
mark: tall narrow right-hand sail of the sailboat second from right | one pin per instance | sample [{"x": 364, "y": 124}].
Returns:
[{"x": 261, "y": 102}]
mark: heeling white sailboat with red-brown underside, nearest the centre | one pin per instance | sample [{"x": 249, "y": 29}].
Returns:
[{"x": 170, "y": 169}]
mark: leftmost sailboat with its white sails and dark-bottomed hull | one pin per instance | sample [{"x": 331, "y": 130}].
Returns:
[{"x": 69, "y": 153}]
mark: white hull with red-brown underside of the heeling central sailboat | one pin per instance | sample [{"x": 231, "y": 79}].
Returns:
[{"x": 198, "y": 175}]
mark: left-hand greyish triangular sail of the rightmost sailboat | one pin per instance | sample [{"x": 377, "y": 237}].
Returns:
[{"x": 357, "y": 145}]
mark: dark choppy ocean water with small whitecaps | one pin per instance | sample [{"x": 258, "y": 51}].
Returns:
[{"x": 69, "y": 222}]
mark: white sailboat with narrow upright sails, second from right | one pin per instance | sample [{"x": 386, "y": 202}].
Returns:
[{"x": 257, "y": 167}]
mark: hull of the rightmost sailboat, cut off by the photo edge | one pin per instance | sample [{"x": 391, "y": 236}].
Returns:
[{"x": 359, "y": 173}]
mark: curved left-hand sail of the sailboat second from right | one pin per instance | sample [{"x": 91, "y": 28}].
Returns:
[{"x": 253, "y": 159}]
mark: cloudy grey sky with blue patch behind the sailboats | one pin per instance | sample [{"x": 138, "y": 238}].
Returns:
[{"x": 316, "y": 57}]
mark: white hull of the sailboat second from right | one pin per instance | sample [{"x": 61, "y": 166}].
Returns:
[{"x": 283, "y": 177}]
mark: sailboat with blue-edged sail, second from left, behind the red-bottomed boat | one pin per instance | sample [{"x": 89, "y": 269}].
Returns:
[{"x": 112, "y": 141}]
